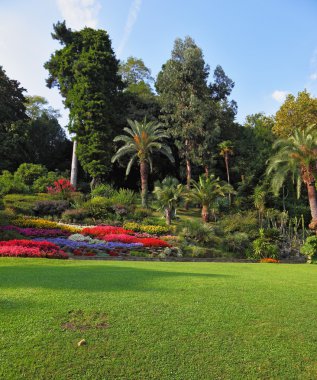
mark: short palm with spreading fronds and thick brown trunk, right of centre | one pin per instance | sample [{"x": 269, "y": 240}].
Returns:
[{"x": 206, "y": 191}]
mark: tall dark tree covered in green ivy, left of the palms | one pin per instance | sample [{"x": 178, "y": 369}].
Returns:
[{"x": 85, "y": 70}]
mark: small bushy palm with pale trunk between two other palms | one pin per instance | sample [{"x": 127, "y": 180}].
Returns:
[{"x": 168, "y": 194}]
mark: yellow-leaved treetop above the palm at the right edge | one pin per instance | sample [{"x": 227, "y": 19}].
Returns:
[{"x": 295, "y": 113}]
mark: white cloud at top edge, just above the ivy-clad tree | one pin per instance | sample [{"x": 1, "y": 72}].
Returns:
[{"x": 80, "y": 13}]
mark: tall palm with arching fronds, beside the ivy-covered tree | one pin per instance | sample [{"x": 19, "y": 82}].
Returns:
[{"x": 141, "y": 140}]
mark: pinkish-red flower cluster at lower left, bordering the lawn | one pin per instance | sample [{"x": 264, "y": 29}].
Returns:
[{"x": 28, "y": 248}]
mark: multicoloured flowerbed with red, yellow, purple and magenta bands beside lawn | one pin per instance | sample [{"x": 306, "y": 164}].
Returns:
[{"x": 49, "y": 241}]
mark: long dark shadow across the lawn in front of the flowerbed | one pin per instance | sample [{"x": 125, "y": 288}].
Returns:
[{"x": 94, "y": 278}]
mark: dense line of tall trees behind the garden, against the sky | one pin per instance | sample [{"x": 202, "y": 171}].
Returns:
[{"x": 188, "y": 100}]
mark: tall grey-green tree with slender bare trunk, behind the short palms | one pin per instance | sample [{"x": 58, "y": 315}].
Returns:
[{"x": 182, "y": 87}]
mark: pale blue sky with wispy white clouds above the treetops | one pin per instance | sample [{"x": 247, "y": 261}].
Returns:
[{"x": 267, "y": 47}]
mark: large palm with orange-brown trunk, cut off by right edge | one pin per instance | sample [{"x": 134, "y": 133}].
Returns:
[{"x": 297, "y": 155}]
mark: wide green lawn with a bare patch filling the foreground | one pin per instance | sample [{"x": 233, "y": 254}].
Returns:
[{"x": 159, "y": 320}]
